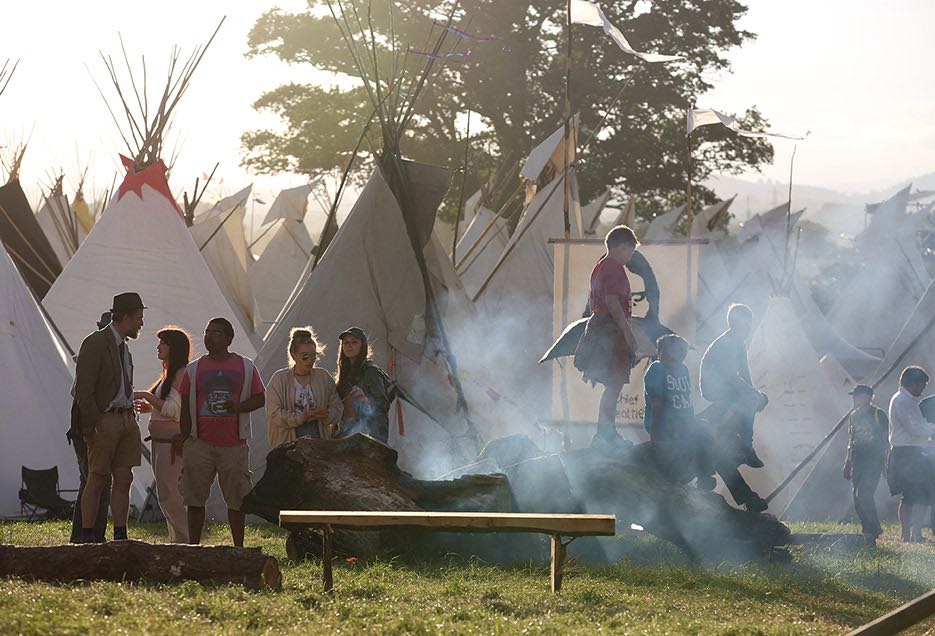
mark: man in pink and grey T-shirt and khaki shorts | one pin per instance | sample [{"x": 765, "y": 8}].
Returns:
[{"x": 219, "y": 391}]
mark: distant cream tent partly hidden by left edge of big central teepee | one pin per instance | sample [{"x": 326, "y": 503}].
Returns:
[{"x": 279, "y": 268}]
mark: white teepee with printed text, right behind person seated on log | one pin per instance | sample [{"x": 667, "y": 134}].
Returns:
[{"x": 805, "y": 400}]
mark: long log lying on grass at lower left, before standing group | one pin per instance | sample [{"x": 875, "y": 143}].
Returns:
[{"x": 140, "y": 561}]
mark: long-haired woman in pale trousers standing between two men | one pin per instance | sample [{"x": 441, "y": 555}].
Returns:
[{"x": 165, "y": 405}]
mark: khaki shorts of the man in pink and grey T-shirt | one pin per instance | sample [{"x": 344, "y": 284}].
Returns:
[{"x": 202, "y": 462}]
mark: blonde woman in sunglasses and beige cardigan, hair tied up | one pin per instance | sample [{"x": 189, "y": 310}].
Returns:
[{"x": 301, "y": 400}]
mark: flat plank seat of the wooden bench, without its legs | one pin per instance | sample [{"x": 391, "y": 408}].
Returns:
[{"x": 567, "y": 525}]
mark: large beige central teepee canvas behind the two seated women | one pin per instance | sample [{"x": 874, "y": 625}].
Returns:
[{"x": 369, "y": 277}]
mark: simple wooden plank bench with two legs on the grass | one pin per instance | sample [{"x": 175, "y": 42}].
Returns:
[{"x": 555, "y": 525}]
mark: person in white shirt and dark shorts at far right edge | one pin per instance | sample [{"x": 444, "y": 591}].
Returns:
[{"x": 909, "y": 471}]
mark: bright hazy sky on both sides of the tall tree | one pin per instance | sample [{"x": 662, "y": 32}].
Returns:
[{"x": 851, "y": 71}]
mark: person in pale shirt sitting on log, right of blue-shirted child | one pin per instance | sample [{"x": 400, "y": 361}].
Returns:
[{"x": 725, "y": 382}]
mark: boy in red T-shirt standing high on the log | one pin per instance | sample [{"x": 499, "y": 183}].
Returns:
[{"x": 604, "y": 354}]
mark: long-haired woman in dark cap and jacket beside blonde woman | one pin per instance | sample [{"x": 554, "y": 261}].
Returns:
[{"x": 364, "y": 388}]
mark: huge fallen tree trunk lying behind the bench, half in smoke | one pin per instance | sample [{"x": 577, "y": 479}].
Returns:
[{"x": 359, "y": 473}]
